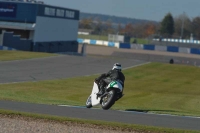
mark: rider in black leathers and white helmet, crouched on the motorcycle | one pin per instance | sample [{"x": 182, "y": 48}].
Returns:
[{"x": 106, "y": 78}]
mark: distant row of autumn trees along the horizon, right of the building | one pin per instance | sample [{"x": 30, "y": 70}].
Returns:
[{"x": 170, "y": 27}]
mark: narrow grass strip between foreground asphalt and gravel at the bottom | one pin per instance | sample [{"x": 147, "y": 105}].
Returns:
[{"x": 93, "y": 123}]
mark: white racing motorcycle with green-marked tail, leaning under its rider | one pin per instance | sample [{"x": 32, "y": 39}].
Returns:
[{"x": 113, "y": 92}]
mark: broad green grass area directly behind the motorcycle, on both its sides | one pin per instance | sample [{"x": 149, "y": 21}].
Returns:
[{"x": 155, "y": 87}]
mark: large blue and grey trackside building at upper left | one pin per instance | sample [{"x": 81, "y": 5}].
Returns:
[{"x": 34, "y": 26}]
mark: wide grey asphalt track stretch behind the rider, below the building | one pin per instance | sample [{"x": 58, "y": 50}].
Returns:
[{"x": 58, "y": 67}]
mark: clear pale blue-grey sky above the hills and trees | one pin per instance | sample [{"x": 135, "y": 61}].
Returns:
[{"x": 139, "y": 9}]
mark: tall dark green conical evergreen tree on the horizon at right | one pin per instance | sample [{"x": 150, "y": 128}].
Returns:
[{"x": 167, "y": 26}]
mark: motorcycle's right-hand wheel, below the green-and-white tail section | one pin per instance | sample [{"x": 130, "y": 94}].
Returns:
[{"x": 108, "y": 100}]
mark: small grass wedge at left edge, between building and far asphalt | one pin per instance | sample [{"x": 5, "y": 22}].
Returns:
[{"x": 20, "y": 55}]
